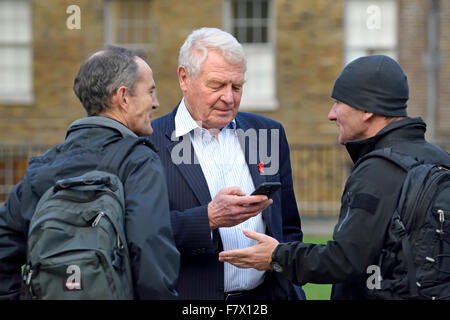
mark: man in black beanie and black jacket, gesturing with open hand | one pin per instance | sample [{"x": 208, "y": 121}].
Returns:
[{"x": 370, "y": 112}]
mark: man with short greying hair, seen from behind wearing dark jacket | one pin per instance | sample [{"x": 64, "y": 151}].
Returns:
[{"x": 117, "y": 90}]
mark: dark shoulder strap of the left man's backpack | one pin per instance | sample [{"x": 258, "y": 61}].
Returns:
[{"x": 119, "y": 150}]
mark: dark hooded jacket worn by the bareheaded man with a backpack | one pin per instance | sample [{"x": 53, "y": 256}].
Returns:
[{"x": 154, "y": 257}]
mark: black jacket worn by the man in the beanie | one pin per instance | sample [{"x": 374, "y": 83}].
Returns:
[{"x": 368, "y": 201}]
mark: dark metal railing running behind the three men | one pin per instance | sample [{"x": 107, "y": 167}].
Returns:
[{"x": 319, "y": 174}]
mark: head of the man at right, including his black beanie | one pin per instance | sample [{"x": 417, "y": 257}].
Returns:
[{"x": 374, "y": 89}]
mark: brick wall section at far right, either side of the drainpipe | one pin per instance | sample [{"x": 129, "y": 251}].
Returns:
[{"x": 412, "y": 47}]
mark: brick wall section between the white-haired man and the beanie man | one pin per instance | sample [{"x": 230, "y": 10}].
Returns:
[{"x": 309, "y": 58}]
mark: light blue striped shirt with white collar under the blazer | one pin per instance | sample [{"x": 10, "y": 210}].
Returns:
[{"x": 223, "y": 165}]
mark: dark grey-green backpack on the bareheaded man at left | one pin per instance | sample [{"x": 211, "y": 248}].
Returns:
[{"x": 77, "y": 247}]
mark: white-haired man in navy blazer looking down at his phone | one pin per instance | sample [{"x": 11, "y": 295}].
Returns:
[{"x": 214, "y": 158}]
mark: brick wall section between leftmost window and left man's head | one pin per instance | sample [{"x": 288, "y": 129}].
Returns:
[{"x": 57, "y": 55}]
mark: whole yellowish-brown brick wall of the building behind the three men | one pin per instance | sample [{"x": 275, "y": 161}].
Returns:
[{"x": 309, "y": 40}]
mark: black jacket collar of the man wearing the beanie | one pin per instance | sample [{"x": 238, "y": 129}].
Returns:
[{"x": 407, "y": 129}]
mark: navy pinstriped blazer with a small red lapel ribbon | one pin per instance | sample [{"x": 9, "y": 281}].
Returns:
[{"x": 201, "y": 274}]
